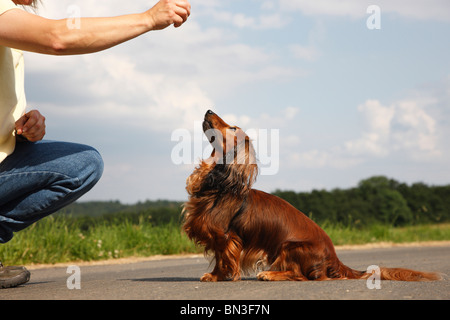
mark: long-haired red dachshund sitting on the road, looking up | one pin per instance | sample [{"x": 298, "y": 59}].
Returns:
[{"x": 244, "y": 227}]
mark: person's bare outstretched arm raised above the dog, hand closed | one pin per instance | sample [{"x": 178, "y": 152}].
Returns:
[{"x": 29, "y": 32}]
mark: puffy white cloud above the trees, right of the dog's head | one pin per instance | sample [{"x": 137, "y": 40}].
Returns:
[{"x": 405, "y": 129}]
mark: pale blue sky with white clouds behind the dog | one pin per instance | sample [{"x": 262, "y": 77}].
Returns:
[{"x": 331, "y": 92}]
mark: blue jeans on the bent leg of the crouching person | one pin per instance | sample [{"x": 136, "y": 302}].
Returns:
[{"x": 42, "y": 177}]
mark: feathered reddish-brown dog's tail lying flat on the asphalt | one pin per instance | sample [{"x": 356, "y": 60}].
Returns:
[{"x": 396, "y": 274}]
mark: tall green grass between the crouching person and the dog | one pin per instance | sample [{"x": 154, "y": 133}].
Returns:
[{"x": 58, "y": 239}]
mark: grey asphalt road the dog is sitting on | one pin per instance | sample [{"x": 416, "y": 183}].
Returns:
[{"x": 178, "y": 279}]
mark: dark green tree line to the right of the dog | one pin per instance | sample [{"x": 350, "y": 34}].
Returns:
[{"x": 375, "y": 200}]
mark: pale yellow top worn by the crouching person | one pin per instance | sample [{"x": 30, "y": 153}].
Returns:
[{"x": 12, "y": 91}]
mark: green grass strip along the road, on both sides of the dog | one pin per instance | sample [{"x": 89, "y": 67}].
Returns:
[{"x": 65, "y": 239}]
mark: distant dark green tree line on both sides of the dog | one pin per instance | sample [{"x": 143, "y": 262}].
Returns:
[{"x": 374, "y": 200}]
